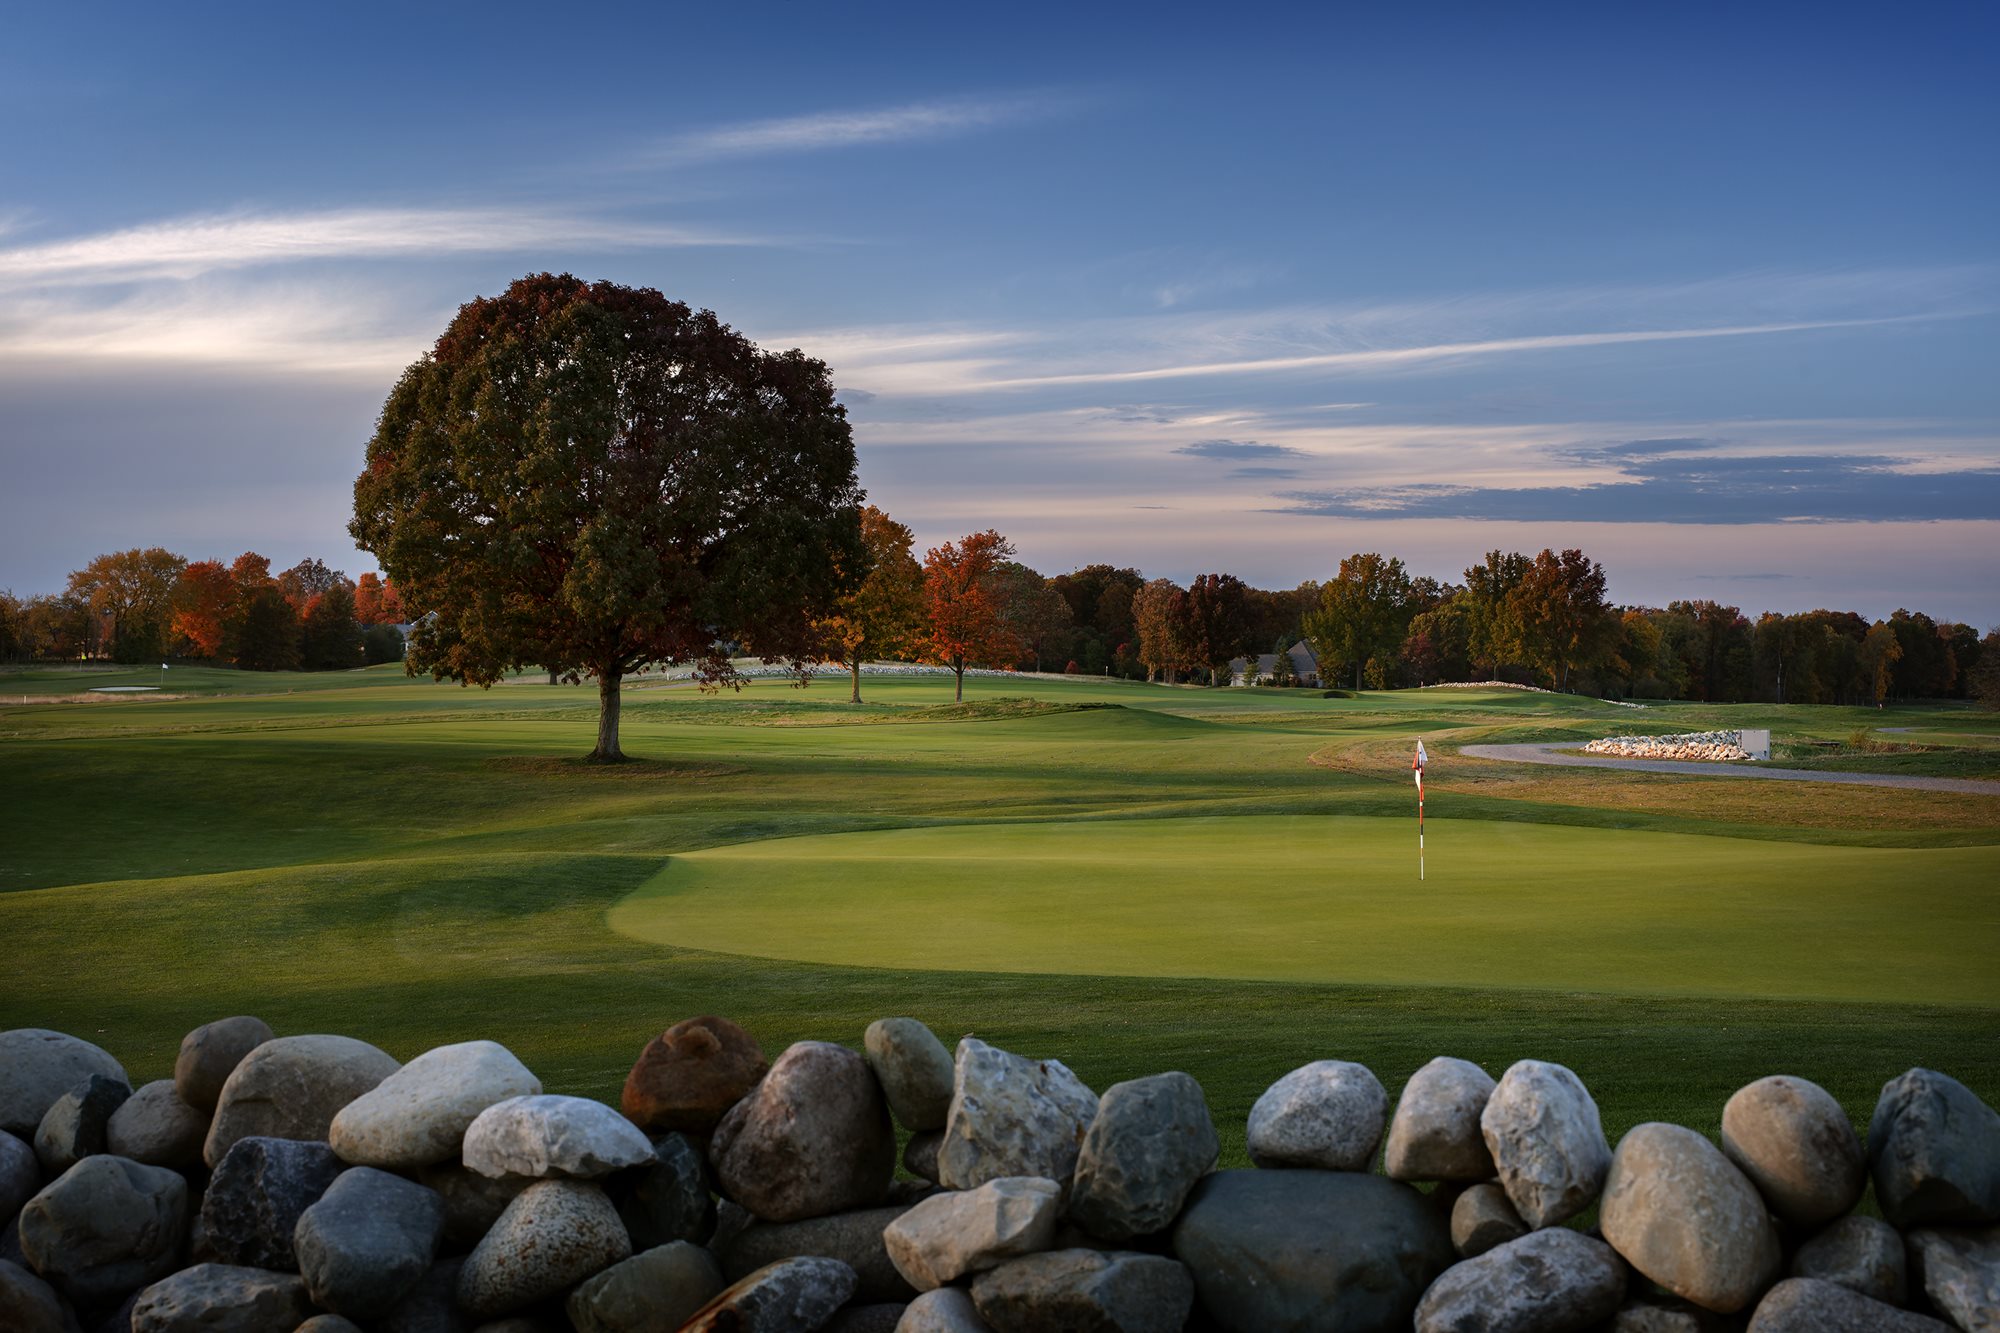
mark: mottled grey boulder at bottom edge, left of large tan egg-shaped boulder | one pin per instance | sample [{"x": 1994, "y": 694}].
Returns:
[{"x": 1547, "y": 1282}]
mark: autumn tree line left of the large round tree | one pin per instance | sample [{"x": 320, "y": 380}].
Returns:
[{"x": 147, "y": 605}]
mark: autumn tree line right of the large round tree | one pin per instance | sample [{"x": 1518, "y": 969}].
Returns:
[{"x": 1523, "y": 619}]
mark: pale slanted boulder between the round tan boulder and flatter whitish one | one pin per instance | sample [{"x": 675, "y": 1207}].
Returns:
[{"x": 419, "y": 1116}]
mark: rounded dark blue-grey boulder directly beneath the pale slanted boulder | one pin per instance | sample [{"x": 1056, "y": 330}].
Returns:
[{"x": 367, "y": 1242}]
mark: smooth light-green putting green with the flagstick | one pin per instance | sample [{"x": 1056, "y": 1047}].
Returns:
[{"x": 1339, "y": 900}]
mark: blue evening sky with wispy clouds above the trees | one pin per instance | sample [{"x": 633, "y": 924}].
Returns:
[{"x": 1709, "y": 293}]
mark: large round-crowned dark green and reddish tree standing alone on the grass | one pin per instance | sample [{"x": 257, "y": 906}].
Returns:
[{"x": 593, "y": 479}]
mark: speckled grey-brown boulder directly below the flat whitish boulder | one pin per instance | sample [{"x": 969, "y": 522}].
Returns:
[{"x": 551, "y": 1238}]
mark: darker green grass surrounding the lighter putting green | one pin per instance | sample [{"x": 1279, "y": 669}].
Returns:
[{"x": 421, "y": 864}]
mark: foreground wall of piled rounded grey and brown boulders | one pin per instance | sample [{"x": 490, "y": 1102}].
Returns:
[{"x": 319, "y": 1186}]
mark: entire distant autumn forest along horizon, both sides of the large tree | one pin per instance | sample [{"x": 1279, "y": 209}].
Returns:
[{"x": 1537, "y": 619}]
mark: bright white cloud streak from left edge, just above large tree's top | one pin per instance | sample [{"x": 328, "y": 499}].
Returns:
[{"x": 183, "y": 249}]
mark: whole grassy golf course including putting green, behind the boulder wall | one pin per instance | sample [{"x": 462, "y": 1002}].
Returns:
[{"x": 419, "y": 864}]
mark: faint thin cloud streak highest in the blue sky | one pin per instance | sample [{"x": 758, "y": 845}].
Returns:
[{"x": 857, "y": 129}]
